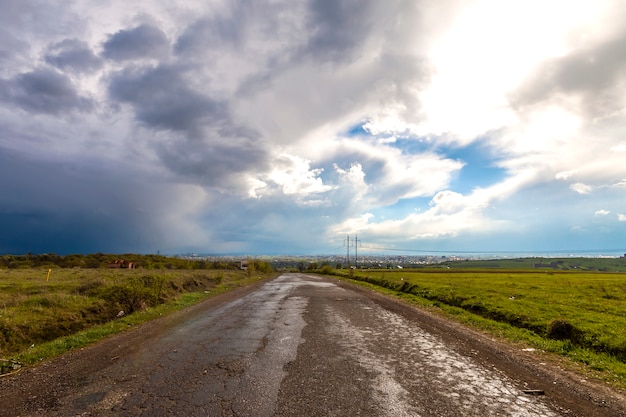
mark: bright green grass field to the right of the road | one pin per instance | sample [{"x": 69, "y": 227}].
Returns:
[{"x": 580, "y": 315}]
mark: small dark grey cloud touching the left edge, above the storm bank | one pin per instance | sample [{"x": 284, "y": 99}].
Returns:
[{"x": 44, "y": 91}]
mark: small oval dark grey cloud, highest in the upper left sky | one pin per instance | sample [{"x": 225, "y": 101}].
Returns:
[{"x": 144, "y": 41}]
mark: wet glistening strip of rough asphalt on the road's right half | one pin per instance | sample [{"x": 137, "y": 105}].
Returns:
[{"x": 410, "y": 362}]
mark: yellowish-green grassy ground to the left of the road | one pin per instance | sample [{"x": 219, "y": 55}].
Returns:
[{"x": 40, "y": 318}]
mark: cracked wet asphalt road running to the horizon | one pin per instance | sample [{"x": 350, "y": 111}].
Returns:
[{"x": 298, "y": 345}]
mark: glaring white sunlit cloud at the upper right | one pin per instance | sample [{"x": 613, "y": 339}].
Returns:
[{"x": 466, "y": 100}]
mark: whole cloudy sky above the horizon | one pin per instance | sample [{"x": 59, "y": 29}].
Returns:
[{"x": 283, "y": 127}]
